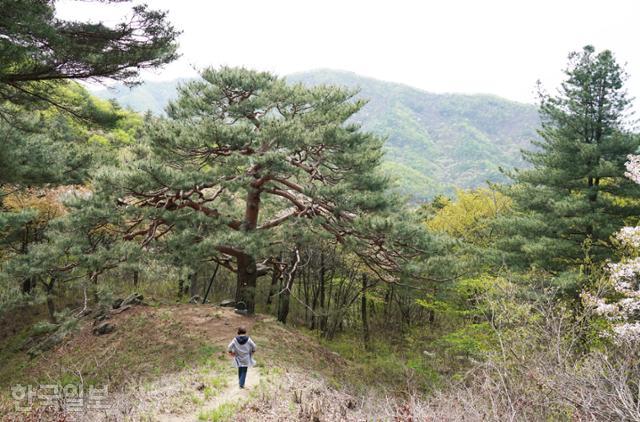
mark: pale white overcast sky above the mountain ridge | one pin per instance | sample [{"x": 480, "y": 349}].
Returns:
[{"x": 469, "y": 46}]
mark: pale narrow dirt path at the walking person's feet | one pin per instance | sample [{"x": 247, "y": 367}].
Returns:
[{"x": 231, "y": 394}]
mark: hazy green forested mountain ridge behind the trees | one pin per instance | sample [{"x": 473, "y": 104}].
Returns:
[{"x": 435, "y": 142}]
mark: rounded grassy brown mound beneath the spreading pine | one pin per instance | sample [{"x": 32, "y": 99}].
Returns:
[{"x": 182, "y": 345}]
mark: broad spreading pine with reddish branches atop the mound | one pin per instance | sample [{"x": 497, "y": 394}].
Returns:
[{"x": 246, "y": 163}]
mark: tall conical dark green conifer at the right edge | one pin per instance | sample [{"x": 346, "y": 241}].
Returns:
[{"x": 575, "y": 196}]
